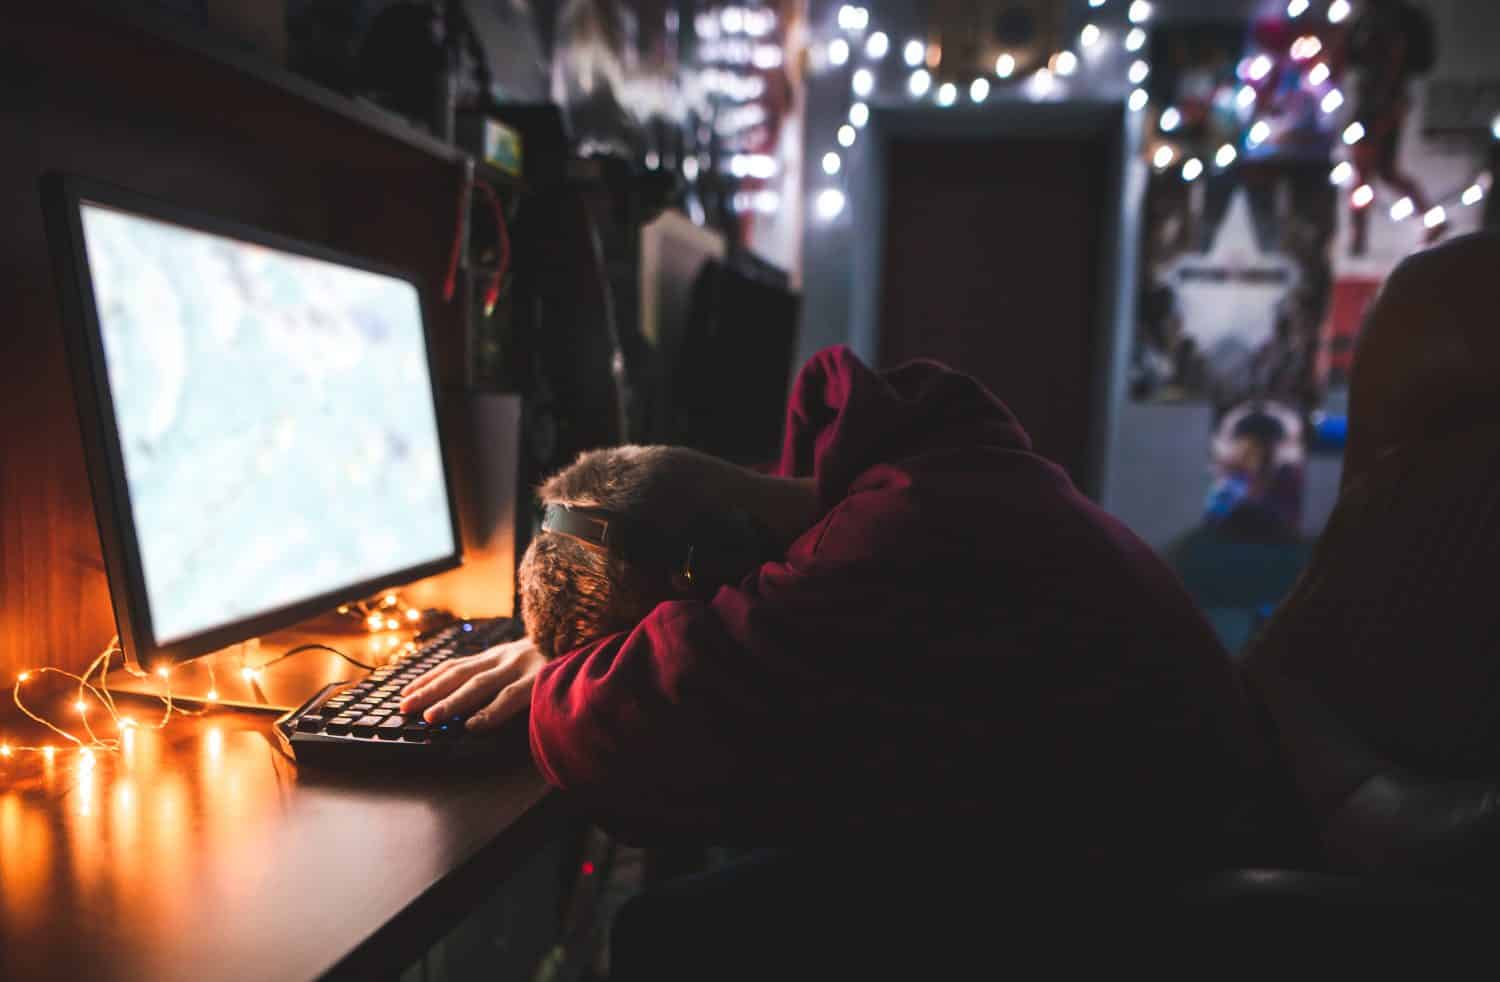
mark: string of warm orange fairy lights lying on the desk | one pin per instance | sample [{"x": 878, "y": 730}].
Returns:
[{"x": 383, "y": 617}]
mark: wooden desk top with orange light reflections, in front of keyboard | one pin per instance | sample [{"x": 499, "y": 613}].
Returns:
[{"x": 202, "y": 854}]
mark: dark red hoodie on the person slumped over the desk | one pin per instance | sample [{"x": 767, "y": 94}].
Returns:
[{"x": 962, "y": 641}]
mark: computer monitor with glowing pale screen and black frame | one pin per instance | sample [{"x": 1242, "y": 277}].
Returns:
[{"x": 260, "y": 422}]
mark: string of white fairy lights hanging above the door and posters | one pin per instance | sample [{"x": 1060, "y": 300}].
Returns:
[{"x": 865, "y": 49}]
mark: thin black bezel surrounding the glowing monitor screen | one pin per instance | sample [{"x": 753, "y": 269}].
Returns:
[{"x": 64, "y": 197}]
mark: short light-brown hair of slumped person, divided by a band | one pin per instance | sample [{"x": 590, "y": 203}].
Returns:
[{"x": 571, "y": 593}]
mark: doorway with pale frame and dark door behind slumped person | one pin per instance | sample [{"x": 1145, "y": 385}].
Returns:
[{"x": 998, "y": 250}]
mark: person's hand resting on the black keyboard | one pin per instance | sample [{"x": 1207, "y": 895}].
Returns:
[{"x": 490, "y": 687}]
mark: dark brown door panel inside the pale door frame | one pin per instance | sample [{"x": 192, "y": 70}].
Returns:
[{"x": 992, "y": 265}]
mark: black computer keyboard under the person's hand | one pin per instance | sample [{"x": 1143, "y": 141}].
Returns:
[{"x": 359, "y": 725}]
